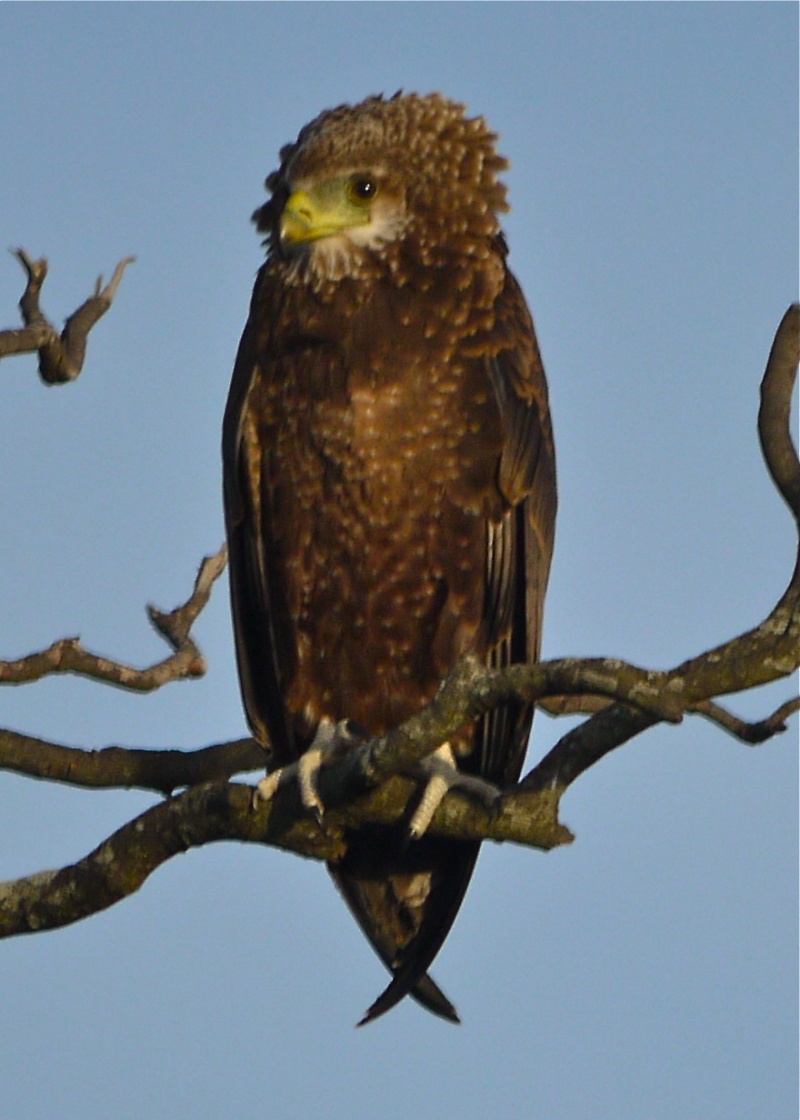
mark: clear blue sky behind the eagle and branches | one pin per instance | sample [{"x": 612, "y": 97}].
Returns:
[{"x": 648, "y": 972}]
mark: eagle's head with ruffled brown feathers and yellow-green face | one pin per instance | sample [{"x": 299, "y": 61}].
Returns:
[{"x": 386, "y": 186}]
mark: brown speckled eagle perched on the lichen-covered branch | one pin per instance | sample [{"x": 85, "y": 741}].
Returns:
[{"x": 389, "y": 478}]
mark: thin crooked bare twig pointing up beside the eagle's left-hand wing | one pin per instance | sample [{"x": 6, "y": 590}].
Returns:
[{"x": 68, "y": 656}]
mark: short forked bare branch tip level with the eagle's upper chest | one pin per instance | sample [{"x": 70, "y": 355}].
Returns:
[{"x": 61, "y": 356}]
